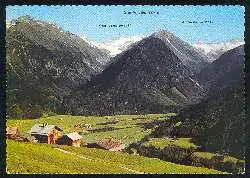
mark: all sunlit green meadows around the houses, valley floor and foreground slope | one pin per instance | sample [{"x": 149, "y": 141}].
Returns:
[{"x": 135, "y": 131}]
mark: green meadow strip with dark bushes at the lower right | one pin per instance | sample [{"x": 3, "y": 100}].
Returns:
[{"x": 184, "y": 151}]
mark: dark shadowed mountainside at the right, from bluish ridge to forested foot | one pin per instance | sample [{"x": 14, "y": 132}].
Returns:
[{"x": 217, "y": 122}]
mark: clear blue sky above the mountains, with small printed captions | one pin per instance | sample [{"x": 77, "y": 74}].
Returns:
[{"x": 228, "y": 21}]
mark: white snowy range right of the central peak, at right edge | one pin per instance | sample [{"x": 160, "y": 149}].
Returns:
[{"x": 214, "y": 50}]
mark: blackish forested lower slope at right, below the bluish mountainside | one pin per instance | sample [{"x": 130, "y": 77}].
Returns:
[{"x": 217, "y": 122}]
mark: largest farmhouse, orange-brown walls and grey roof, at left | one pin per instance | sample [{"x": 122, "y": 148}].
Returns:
[{"x": 45, "y": 133}]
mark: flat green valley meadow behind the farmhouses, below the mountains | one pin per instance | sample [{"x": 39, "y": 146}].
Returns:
[{"x": 129, "y": 128}]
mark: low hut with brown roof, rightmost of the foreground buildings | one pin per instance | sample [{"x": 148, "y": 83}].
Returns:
[{"x": 111, "y": 144}]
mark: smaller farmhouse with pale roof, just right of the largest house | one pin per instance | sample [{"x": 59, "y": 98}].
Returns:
[{"x": 72, "y": 139}]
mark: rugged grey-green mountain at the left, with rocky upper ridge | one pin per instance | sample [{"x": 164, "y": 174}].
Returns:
[{"x": 44, "y": 63}]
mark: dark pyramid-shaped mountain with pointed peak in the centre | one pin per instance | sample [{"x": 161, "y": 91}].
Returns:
[{"x": 154, "y": 75}]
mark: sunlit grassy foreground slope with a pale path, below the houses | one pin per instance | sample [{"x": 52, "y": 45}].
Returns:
[{"x": 43, "y": 158}]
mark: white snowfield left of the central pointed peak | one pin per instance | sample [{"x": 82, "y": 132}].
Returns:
[{"x": 117, "y": 46}]
